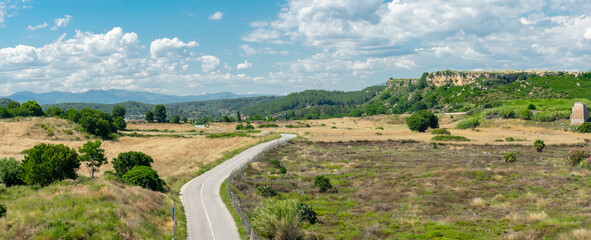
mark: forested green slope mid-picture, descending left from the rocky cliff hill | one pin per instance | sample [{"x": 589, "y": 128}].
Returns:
[{"x": 314, "y": 104}]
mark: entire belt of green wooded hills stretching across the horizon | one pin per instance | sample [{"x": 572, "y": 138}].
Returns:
[{"x": 403, "y": 96}]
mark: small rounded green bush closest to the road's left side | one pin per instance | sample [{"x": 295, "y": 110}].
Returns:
[{"x": 145, "y": 177}]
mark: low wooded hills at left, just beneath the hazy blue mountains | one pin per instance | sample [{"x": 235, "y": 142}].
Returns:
[{"x": 199, "y": 109}]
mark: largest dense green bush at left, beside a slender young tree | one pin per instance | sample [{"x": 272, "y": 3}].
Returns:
[{"x": 46, "y": 163}]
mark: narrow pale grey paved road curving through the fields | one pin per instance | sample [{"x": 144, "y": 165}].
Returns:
[{"x": 207, "y": 216}]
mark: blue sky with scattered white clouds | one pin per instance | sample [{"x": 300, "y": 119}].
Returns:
[{"x": 275, "y": 47}]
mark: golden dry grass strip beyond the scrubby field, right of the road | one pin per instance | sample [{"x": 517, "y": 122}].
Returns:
[{"x": 353, "y": 129}]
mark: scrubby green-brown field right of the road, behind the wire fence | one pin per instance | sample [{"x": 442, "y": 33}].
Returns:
[{"x": 410, "y": 190}]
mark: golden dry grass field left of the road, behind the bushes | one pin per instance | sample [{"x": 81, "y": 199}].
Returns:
[{"x": 172, "y": 156}]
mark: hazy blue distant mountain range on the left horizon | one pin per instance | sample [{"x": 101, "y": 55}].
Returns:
[{"x": 117, "y": 96}]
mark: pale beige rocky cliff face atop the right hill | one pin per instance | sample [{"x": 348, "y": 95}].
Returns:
[{"x": 462, "y": 78}]
